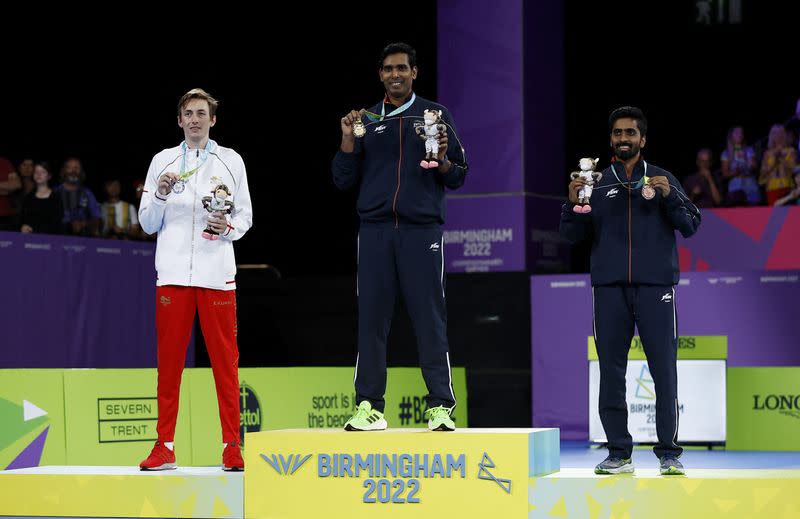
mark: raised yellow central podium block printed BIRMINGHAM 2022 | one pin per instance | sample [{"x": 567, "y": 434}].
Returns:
[{"x": 396, "y": 473}]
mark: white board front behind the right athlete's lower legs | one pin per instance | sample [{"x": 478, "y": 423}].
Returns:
[{"x": 701, "y": 401}]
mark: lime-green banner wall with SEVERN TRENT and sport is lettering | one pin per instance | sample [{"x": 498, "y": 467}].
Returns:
[{"x": 109, "y": 417}]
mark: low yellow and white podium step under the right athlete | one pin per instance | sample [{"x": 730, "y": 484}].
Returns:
[{"x": 702, "y": 494}]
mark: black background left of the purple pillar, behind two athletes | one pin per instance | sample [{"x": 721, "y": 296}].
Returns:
[{"x": 108, "y": 94}]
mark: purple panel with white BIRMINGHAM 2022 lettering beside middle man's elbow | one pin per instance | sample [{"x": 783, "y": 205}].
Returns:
[{"x": 485, "y": 234}]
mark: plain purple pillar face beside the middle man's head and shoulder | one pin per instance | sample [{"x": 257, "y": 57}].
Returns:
[{"x": 480, "y": 81}]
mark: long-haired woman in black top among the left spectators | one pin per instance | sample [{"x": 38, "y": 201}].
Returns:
[{"x": 42, "y": 211}]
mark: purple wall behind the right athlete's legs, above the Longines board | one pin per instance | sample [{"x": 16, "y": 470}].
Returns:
[{"x": 755, "y": 310}]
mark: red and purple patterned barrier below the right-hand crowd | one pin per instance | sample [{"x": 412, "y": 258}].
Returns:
[{"x": 743, "y": 238}]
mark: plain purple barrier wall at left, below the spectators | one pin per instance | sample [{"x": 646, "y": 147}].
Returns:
[{"x": 77, "y": 303}]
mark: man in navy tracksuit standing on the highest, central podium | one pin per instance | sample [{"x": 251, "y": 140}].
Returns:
[{"x": 401, "y": 207}]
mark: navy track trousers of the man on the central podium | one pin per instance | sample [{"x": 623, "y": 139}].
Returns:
[{"x": 409, "y": 259}]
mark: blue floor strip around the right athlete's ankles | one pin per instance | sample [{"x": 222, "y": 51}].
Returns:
[{"x": 581, "y": 454}]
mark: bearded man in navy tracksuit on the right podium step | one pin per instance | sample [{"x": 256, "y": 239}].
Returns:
[{"x": 636, "y": 208}]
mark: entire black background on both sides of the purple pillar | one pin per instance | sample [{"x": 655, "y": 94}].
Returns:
[{"x": 107, "y": 93}]
